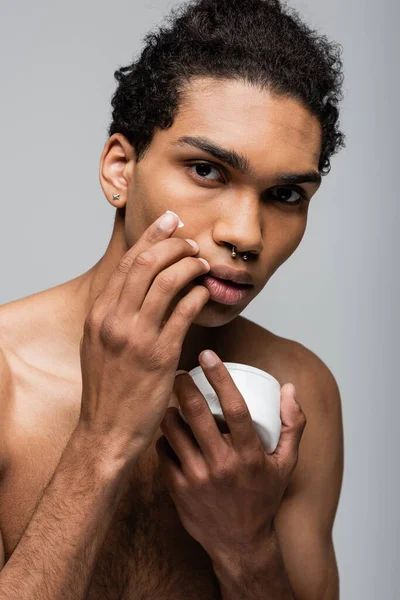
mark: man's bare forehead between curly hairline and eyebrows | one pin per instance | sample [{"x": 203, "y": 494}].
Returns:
[{"x": 245, "y": 115}]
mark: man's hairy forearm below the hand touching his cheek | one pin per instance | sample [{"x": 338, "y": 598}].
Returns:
[{"x": 57, "y": 553}]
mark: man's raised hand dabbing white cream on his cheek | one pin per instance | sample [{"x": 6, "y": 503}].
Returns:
[{"x": 131, "y": 344}]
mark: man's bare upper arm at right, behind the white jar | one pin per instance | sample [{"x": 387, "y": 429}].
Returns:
[{"x": 305, "y": 519}]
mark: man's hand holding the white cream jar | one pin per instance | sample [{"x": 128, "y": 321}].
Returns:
[{"x": 225, "y": 487}]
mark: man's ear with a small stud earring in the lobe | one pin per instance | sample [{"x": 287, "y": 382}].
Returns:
[{"x": 116, "y": 169}]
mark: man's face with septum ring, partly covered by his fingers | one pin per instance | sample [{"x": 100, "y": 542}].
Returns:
[{"x": 220, "y": 205}]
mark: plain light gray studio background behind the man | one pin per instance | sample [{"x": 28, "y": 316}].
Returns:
[{"x": 337, "y": 294}]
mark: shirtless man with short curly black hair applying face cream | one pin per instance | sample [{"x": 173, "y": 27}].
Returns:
[{"x": 228, "y": 120}]
